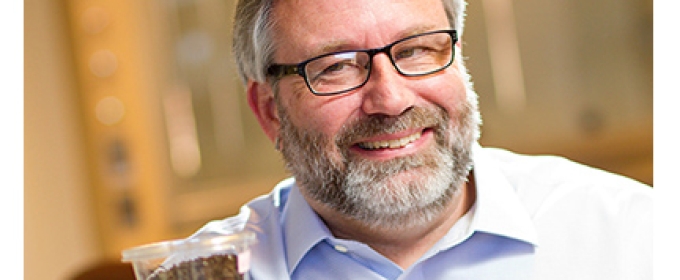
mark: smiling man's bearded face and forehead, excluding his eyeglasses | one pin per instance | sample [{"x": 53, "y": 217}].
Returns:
[{"x": 391, "y": 151}]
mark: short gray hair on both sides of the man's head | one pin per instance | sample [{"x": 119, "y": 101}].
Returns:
[{"x": 253, "y": 43}]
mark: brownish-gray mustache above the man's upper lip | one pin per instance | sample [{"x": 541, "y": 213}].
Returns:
[{"x": 374, "y": 125}]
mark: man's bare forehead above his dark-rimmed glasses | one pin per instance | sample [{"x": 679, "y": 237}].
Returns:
[{"x": 305, "y": 28}]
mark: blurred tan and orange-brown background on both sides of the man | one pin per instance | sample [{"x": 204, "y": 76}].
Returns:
[{"x": 137, "y": 129}]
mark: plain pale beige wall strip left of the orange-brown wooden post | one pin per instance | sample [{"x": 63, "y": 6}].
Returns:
[{"x": 59, "y": 236}]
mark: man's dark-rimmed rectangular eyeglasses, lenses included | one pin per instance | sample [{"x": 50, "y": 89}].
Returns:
[{"x": 343, "y": 71}]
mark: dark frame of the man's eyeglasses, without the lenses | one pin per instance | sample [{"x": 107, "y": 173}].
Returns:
[{"x": 278, "y": 71}]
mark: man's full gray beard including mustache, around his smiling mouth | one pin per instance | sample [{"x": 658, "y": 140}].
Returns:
[{"x": 373, "y": 193}]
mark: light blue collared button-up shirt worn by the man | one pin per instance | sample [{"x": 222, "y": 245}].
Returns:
[{"x": 535, "y": 217}]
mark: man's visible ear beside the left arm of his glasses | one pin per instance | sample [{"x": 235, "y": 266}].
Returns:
[{"x": 261, "y": 102}]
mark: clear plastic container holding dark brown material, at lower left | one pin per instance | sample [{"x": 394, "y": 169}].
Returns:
[{"x": 207, "y": 258}]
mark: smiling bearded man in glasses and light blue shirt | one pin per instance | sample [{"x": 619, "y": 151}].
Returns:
[{"x": 373, "y": 111}]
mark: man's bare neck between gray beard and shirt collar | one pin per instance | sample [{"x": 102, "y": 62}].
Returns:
[{"x": 402, "y": 246}]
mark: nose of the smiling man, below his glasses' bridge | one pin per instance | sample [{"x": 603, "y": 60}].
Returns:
[{"x": 385, "y": 92}]
